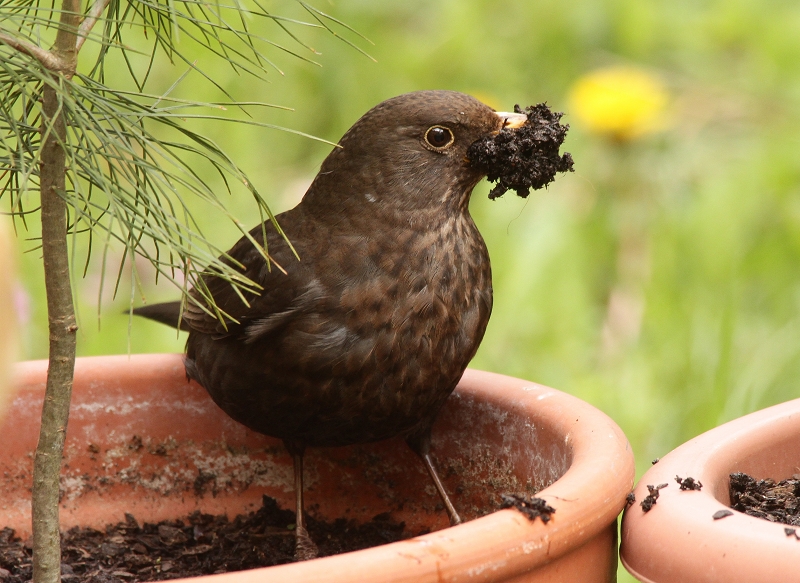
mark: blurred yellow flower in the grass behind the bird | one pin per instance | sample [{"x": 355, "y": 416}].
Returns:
[{"x": 622, "y": 102}]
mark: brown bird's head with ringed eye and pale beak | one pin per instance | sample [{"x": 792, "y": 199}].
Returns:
[{"x": 409, "y": 153}]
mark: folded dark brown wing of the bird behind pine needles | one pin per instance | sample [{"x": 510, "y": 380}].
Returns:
[{"x": 286, "y": 286}]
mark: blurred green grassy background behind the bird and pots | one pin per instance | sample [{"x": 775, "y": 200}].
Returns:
[{"x": 659, "y": 282}]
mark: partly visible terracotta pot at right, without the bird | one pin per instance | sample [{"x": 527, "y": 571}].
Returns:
[{"x": 679, "y": 540}]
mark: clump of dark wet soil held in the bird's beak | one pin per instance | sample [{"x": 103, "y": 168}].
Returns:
[{"x": 526, "y": 157}]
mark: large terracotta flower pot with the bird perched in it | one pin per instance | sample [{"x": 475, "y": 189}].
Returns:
[{"x": 142, "y": 439}]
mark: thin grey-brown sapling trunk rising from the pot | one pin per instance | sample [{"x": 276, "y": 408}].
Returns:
[{"x": 60, "y": 309}]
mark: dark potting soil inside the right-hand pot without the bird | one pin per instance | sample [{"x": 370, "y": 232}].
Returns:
[{"x": 767, "y": 499}]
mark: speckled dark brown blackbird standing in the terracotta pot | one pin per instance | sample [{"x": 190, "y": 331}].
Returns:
[{"x": 365, "y": 332}]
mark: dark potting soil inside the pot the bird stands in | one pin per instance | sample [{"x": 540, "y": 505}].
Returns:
[{"x": 200, "y": 544}]
